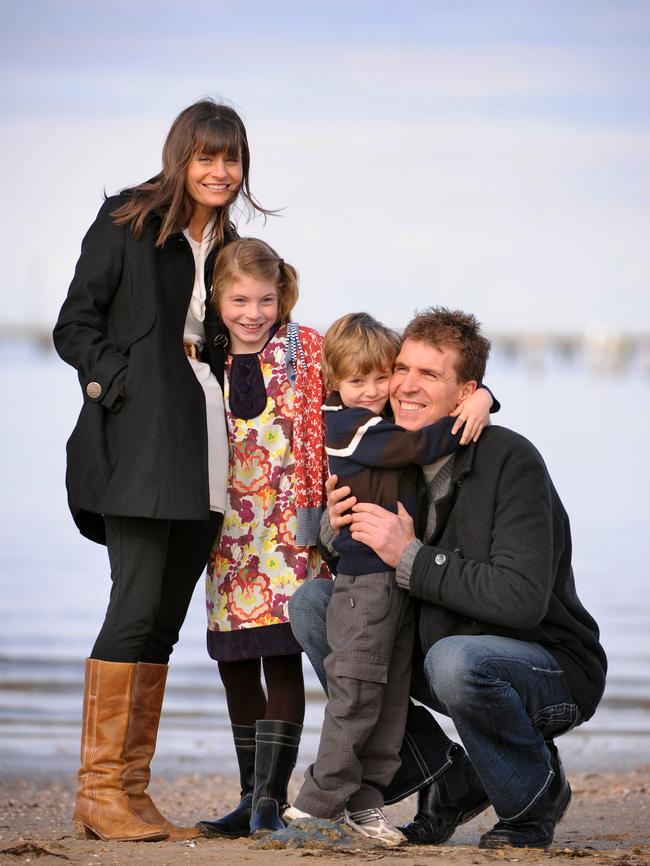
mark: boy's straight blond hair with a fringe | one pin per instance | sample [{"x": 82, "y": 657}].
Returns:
[{"x": 357, "y": 343}]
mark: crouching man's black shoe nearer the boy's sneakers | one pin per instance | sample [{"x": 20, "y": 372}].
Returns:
[{"x": 453, "y": 798}]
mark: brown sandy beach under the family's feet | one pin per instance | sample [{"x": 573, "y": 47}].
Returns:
[{"x": 608, "y": 822}]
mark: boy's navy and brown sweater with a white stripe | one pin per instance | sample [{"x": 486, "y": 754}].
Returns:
[{"x": 379, "y": 461}]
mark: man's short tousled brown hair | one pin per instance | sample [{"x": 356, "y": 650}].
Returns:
[{"x": 442, "y": 327}]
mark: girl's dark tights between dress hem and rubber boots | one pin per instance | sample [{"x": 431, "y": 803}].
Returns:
[{"x": 284, "y": 684}]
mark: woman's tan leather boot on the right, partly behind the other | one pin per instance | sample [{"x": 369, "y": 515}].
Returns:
[{"x": 146, "y": 705}]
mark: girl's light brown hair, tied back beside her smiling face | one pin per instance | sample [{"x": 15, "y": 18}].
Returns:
[{"x": 254, "y": 258}]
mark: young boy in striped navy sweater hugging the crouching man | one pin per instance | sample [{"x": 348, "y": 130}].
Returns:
[{"x": 370, "y": 623}]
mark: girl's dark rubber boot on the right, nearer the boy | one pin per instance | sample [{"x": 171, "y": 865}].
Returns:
[{"x": 276, "y": 752}]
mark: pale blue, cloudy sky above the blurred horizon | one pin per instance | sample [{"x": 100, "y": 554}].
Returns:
[{"x": 493, "y": 156}]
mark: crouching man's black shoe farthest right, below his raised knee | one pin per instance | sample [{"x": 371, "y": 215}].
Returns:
[{"x": 534, "y": 828}]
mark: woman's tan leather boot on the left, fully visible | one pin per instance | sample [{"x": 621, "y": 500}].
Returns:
[{"x": 102, "y": 806}]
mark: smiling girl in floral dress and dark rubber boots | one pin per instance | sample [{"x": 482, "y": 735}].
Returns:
[{"x": 274, "y": 392}]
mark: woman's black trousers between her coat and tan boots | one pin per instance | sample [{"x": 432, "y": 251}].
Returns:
[{"x": 155, "y": 565}]
